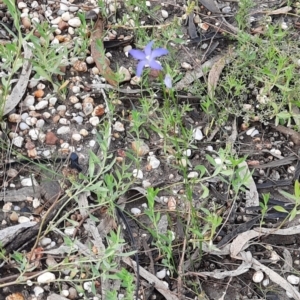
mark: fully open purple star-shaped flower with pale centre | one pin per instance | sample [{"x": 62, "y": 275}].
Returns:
[{"x": 147, "y": 58}]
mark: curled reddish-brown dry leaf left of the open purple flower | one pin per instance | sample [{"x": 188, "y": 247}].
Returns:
[{"x": 99, "y": 57}]
